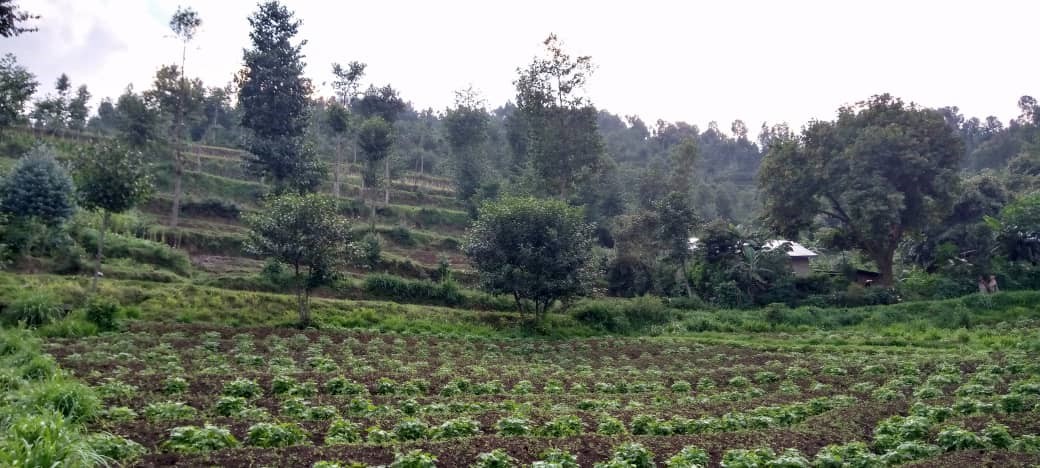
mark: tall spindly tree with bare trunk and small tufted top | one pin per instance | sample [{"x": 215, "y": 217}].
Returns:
[{"x": 185, "y": 23}]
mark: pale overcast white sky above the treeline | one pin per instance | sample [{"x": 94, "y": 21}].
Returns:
[{"x": 678, "y": 61}]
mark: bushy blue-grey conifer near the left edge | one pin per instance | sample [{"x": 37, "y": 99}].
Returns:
[{"x": 38, "y": 189}]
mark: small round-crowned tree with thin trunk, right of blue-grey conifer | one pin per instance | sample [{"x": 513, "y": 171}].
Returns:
[{"x": 113, "y": 179}]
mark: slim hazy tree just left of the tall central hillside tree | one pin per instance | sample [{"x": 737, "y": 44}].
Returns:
[{"x": 466, "y": 127}]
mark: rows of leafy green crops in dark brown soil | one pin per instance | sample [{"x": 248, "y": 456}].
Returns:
[{"x": 194, "y": 396}]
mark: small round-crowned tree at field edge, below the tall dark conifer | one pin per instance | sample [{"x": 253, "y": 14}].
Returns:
[{"x": 305, "y": 232}]
